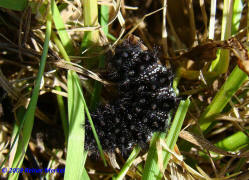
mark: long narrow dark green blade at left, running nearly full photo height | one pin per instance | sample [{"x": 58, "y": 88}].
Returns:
[{"x": 30, "y": 113}]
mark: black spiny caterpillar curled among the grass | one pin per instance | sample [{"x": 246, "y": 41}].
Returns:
[{"x": 145, "y": 98}]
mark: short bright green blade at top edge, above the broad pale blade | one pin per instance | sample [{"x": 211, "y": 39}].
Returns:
[{"x": 61, "y": 29}]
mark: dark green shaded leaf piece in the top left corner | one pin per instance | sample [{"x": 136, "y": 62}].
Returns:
[{"x": 18, "y": 5}]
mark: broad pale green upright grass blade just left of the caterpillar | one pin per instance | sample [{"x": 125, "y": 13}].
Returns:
[{"x": 76, "y": 116}]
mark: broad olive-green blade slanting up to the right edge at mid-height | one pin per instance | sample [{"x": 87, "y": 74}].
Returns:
[{"x": 229, "y": 88}]
